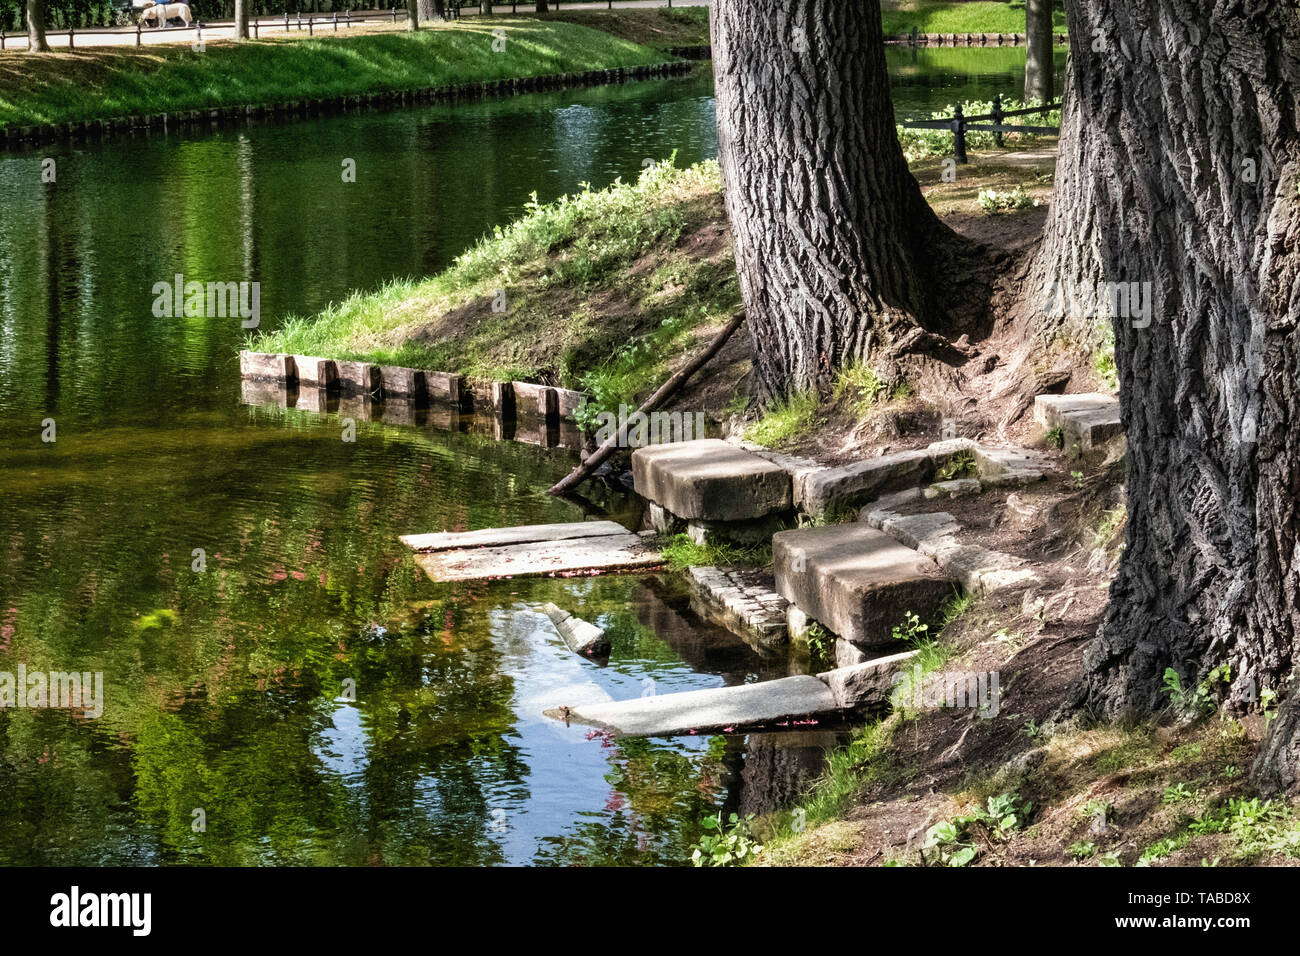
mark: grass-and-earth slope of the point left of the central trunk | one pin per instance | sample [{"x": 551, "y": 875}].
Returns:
[{"x": 601, "y": 295}]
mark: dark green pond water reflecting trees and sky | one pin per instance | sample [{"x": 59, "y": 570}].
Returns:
[{"x": 280, "y": 685}]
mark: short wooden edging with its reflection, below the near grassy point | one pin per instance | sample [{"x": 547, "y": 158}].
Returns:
[{"x": 535, "y": 414}]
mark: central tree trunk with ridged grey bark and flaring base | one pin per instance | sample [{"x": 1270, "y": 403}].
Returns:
[{"x": 840, "y": 258}]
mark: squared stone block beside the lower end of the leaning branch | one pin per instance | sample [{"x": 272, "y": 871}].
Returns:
[{"x": 712, "y": 481}]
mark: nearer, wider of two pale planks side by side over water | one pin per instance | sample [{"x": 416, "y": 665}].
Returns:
[{"x": 626, "y": 552}]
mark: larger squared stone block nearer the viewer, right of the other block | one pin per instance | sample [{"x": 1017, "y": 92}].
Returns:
[{"x": 857, "y": 582}]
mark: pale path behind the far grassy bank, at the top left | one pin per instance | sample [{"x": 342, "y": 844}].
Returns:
[{"x": 270, "y": 27}]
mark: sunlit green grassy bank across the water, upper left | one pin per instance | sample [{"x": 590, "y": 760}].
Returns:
[{"x": 99, "y": 84}]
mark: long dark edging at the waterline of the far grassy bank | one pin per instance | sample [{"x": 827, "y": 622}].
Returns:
[{"x": 89, "y": 129}]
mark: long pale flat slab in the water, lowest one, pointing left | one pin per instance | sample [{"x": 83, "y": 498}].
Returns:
[{"x": 718, "y": 710}]
